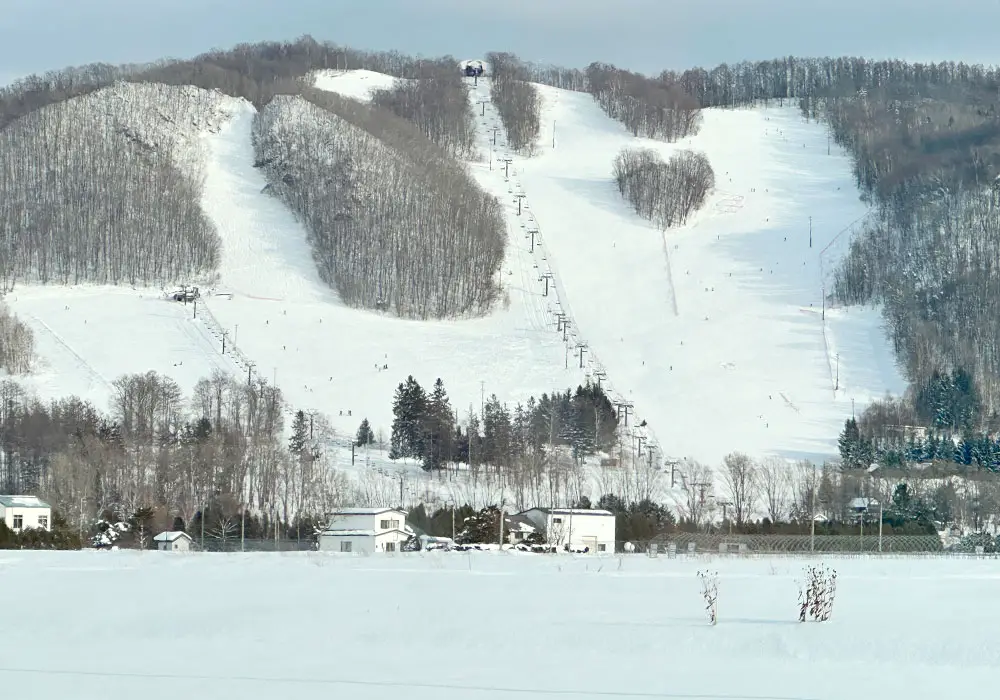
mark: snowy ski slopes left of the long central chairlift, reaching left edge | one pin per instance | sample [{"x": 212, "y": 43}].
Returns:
[{"x": 281, "y": 318}]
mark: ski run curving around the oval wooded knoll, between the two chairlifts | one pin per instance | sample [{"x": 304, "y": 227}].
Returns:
[{"x": 330, "y": 358}]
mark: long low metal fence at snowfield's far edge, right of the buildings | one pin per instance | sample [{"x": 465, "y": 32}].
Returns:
[{"x": 700, "y": 543}]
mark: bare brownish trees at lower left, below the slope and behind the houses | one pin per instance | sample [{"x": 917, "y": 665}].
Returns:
[{"x": 220, "y": 452}]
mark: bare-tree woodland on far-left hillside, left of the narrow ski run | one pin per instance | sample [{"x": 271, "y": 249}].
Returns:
[{"x": 95, "y": 190}]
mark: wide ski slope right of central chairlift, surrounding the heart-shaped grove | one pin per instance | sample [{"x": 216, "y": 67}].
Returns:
[{"x": 714, "y": 330}]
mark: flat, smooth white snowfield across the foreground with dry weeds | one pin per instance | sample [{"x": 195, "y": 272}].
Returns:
[{"x": 91, "y": 626}]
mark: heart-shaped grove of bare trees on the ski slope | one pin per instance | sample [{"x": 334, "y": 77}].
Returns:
[{"x": 665, "y": 192}]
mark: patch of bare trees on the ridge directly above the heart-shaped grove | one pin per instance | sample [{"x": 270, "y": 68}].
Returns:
[{"x": 657, "y": 108}]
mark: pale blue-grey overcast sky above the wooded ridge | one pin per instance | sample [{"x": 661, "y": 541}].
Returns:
[{"x": 645, "y": 35}]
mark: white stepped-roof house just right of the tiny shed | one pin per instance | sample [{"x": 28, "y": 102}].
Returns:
[{"x": 365, "y": 530}]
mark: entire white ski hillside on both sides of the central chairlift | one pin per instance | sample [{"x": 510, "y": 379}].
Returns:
[{"x": 713, "y": 329}]
